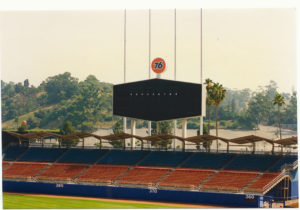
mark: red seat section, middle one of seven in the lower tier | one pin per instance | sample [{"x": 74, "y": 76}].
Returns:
[{"x": 143, "y": 175}]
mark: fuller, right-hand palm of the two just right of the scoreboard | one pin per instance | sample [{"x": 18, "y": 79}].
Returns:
[{"x": 218, "y": 93}]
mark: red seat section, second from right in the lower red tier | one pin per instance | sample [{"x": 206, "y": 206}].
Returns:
[{"x": 229, "y": 180}]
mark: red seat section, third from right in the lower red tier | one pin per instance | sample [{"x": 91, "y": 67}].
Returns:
[{"x": 186, "y": 177}]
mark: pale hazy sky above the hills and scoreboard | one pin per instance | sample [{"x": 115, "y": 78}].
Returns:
[{"x": 242, "y": 48}]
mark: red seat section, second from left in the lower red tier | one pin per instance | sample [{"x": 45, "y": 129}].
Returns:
[{"x": 62, "y": 171}]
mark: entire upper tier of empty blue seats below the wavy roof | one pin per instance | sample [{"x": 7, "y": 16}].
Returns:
[{"x": 272, "y": 163}]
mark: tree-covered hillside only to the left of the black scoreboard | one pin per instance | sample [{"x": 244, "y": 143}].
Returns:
[{"x": 56, "y": 100}]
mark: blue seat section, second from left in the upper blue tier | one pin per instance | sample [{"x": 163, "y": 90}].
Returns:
[{"x": 41, "y": 154}]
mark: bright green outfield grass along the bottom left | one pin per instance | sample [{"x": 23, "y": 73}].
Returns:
[{"x": 39, "y": 202}]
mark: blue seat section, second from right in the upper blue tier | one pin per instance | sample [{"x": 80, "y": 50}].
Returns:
[{"x": 251, "y": 162}]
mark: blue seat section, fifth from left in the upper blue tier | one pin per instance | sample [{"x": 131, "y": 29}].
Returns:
[{"x": 164, "y": 158}]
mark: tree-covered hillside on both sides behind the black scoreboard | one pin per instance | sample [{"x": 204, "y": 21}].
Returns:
[{"x": 87, "y": 105}]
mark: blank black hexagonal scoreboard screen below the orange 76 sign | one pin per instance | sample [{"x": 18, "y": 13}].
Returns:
[{"x": 157, "y": 99}]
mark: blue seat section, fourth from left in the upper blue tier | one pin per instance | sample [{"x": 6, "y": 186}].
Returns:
[{"x": 122, "y": 157}]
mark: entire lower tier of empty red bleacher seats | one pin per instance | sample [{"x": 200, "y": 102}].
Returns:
[{"x": 139, "y": 175}]
